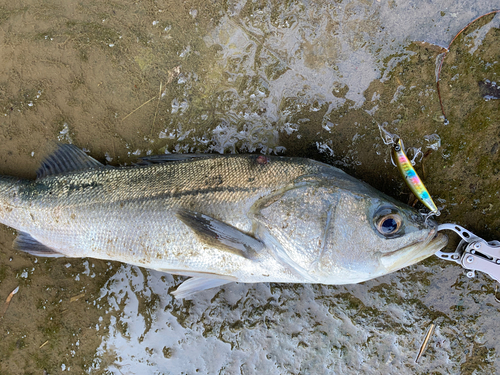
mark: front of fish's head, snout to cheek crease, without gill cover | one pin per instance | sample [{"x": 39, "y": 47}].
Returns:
[{"x": 371, "y": 235}]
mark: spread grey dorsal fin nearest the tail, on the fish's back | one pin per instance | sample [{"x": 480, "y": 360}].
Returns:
[{"x": 66, "y": 158}]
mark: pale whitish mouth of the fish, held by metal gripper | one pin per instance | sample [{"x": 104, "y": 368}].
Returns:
[{"x": 414, "y": 252}]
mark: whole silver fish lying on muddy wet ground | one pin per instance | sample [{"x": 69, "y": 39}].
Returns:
[{"x": 216, "y": 218}]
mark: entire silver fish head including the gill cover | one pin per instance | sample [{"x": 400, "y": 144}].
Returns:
[{"x": 334, "y": 229}]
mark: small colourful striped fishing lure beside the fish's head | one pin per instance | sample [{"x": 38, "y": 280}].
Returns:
[{"x": 411, "y": 177}]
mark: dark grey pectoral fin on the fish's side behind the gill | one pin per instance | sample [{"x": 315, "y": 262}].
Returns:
[{"x": 221, "y": 235}]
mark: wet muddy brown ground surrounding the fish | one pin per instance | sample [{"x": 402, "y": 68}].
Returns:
[{"x": 124, "y": 79}]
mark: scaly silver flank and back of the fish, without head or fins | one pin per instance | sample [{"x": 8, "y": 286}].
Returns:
[{"x": 129, "y": 213}]
